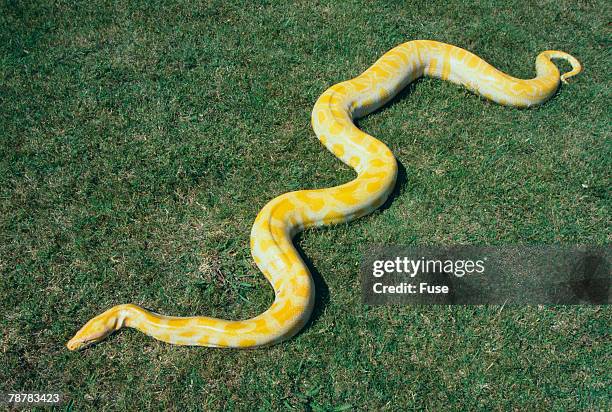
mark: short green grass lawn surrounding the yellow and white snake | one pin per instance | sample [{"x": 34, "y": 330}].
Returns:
[{"x": 139, "y": 142}]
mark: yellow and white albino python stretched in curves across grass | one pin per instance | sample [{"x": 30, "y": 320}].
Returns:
[{"x": 287, "y": 214}]
